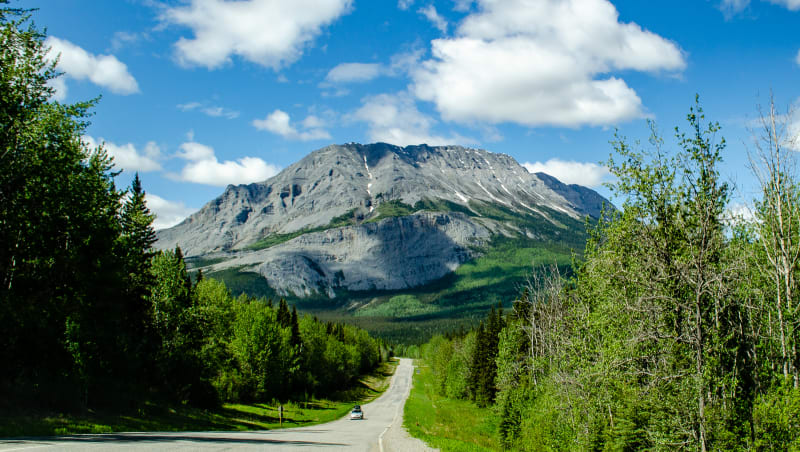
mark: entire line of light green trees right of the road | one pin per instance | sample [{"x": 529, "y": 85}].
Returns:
[{"x": 679, "y": 329}]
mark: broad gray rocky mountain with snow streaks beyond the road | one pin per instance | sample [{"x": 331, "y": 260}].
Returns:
[{"x": 377, "y": 217}]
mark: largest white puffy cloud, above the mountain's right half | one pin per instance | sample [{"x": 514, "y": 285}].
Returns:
[{"x": 542, "y": 62}]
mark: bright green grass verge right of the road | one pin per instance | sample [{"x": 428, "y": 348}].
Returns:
[{"x": 447, "y": 424}]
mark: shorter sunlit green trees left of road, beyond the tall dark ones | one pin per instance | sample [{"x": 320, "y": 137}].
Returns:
[{"x": 213, "y": 347}]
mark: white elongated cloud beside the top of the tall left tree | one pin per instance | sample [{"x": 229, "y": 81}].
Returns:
[{"x": 102, "y": 70}]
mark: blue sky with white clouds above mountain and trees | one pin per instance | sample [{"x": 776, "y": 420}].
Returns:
[{"x": 199, "y": 94}]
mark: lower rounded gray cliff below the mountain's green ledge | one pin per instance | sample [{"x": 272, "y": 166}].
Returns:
[{"x": 393, "y": 253}]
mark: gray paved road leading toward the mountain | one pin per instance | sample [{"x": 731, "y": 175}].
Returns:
[{"x": 343, "y": 434}]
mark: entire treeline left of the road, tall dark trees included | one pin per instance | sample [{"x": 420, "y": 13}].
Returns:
[{"x": 91, "y": 316}]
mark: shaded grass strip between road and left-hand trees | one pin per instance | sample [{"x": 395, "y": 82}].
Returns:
[{"x": 229, "y": 417}]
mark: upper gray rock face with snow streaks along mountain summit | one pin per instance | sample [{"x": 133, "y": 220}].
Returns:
[{"x": 336, "y": 179}]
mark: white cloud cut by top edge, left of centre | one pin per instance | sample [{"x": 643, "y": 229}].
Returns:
[{"x": 271, "y": 33}]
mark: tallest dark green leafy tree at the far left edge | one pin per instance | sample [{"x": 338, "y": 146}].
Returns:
[{"x": 59, "y": 224}]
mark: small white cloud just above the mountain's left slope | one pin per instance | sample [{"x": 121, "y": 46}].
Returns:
[{"x": 204, "y": 168}]
